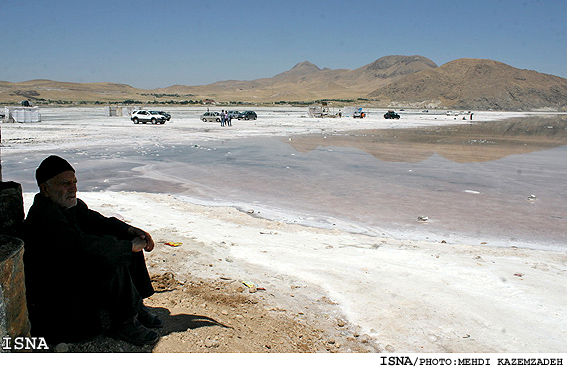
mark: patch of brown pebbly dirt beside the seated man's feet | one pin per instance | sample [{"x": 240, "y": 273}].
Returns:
[{"x": 225, "y": 316}]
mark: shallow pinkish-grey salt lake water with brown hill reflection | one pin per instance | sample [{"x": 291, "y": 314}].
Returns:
[{"x": 474, "y": 183}]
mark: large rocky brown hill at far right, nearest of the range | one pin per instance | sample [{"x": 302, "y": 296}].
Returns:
[{"x": 478, "y": 84}]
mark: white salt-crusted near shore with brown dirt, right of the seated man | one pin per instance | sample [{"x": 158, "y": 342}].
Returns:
[{"x": 408, "y": 296}]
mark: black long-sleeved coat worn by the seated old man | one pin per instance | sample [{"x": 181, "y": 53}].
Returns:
[{"x": 68, "y": 255}]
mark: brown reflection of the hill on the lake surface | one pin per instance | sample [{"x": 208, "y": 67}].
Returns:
[{"x": 478, "y": 142}]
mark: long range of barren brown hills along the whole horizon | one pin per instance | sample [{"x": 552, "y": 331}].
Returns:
[{"x": 391, "y": 81}]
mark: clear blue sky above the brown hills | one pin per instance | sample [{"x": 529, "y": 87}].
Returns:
[{"x": 152, "y": 44}]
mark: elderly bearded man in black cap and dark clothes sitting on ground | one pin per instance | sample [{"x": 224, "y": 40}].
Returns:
[{"x": 81, "y": 266}]
